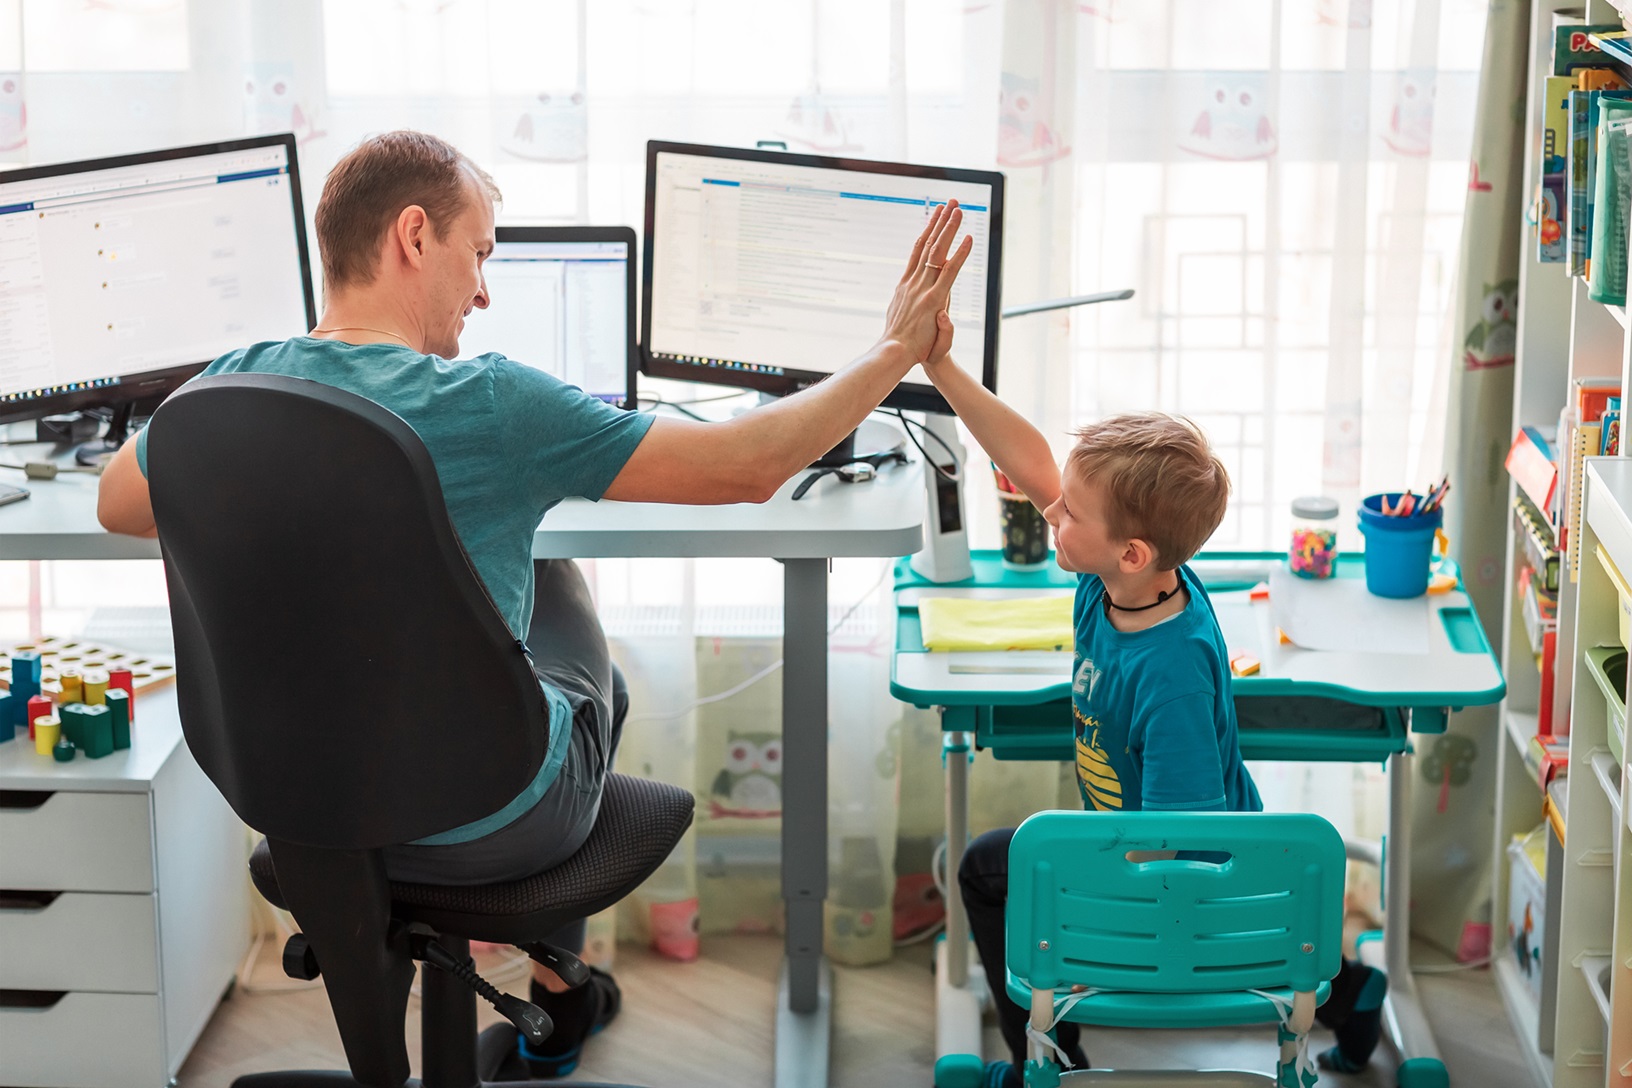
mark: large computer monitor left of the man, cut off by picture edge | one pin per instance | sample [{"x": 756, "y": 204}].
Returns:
[{"x": 122, "y": 278}]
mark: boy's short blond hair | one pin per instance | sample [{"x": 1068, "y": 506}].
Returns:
[{"x": 1163, "y": 482}]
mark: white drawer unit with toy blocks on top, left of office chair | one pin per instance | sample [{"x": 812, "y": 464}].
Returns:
[{"x": 123, "y": 909}]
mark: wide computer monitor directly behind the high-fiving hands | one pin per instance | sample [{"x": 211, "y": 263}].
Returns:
[{"x": 771, "y": 272}]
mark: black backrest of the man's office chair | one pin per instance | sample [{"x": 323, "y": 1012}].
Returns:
[{"x": 344, "y": 676}]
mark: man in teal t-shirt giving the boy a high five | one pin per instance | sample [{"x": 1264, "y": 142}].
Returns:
[{"x": 404, "y": 228}]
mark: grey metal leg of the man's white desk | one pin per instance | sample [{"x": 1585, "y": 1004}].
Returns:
[{"x": 805, "y": 993}]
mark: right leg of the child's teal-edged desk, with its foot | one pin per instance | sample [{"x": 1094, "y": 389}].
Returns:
[{"x": 1403, "y": 1012}]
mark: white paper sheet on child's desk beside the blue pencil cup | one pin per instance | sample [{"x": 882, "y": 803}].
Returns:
[{"x": 1339, "y": 614}]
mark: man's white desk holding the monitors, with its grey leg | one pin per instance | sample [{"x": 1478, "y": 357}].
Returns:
[{"x": 884, "y": 518}]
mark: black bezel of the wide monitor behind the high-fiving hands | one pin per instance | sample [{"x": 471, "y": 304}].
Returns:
[{"x": 915, "y": 397}]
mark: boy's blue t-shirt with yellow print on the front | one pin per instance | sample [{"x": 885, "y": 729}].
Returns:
[{"x": 1153, "y": 710}]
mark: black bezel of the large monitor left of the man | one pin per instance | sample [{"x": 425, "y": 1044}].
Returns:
[{"x": 149, "y": 387}]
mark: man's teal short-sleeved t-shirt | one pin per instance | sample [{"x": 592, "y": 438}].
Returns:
[{"x": 508, "y": 443}]
